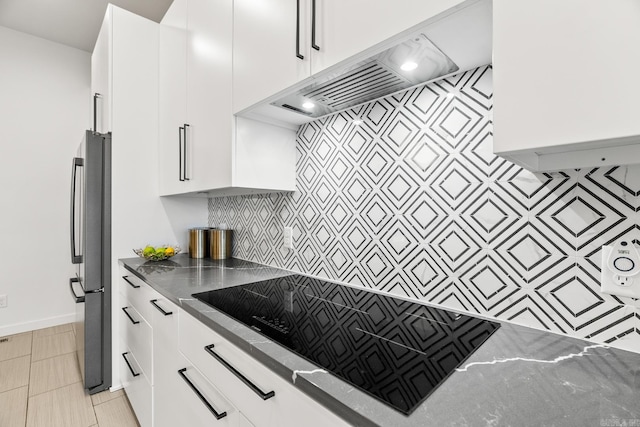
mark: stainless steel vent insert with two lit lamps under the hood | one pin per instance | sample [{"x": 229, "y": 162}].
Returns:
[{"x": 404, "y": 65}]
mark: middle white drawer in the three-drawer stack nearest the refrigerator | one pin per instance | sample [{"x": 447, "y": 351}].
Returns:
[{"x": 136, "y": 336}]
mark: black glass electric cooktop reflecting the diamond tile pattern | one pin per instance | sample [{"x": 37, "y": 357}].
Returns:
[{"x": 395, "y": 350}]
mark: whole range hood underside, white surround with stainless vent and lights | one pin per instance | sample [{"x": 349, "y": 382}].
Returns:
[{"x": 456, "y": 41}]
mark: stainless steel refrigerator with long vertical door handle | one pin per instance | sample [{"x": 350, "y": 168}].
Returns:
[{"x": 91, "y": 253}]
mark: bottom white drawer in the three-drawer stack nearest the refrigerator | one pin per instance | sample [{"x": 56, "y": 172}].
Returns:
[{"x": 137, "y": 387}]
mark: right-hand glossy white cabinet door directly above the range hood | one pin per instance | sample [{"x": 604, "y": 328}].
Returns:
[{"x": 346, "y": 28}]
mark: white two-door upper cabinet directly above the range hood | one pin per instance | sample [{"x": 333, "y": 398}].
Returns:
[{"x": 280, "y": 43}]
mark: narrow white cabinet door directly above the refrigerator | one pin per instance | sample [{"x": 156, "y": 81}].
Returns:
[{"x": 101, "y": 76}]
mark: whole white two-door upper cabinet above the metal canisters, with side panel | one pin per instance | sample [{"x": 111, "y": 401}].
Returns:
[{"x": 204, "y": 149}]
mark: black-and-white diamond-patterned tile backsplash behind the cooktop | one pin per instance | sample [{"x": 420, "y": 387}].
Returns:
[{"x": 413, "y": 202}]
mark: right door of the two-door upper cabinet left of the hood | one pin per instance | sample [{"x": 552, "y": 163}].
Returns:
[{"x": 209, "y": 74}]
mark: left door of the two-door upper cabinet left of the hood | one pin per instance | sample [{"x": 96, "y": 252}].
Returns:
[{"x": 172, "y": 97}]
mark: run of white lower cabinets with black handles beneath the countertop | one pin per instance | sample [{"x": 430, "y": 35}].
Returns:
[{"x": 178, "y": 372}]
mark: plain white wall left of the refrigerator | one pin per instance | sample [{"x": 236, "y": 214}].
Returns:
[{"x": 44, "y": 108}]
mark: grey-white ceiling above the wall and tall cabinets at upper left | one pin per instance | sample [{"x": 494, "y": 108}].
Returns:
[{"x": 75, "y": 23}]
